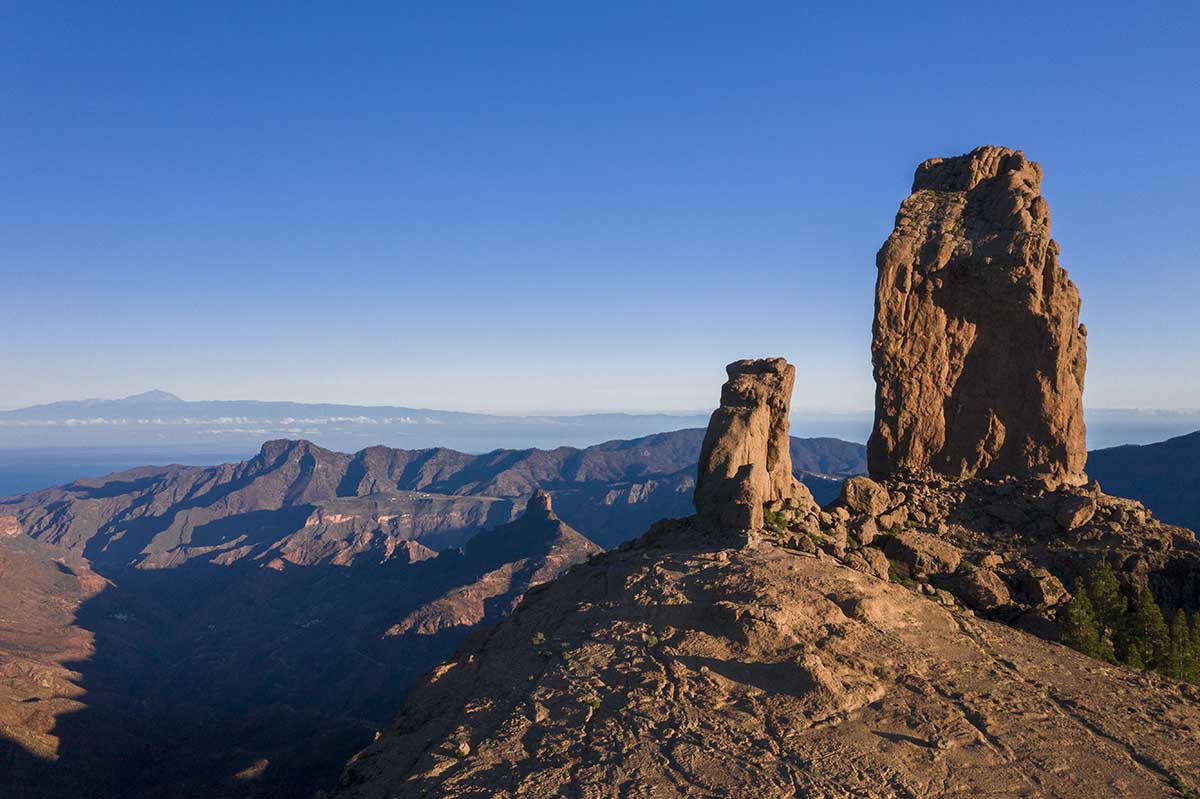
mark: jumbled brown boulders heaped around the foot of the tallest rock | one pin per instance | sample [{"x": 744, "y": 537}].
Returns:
[{"x": 1007, "y": 549}]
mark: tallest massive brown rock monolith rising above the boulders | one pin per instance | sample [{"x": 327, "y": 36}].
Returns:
[{"x": 977, "y": 349}]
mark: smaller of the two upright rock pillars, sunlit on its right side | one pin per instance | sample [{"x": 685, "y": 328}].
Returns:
[{"x": 746, "y": 460}]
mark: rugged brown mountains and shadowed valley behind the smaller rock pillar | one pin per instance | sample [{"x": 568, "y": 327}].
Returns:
[{"x": 239, "y": 630}]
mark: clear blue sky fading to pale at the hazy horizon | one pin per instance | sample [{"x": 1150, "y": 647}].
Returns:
[{"x": 560, "y": 206}]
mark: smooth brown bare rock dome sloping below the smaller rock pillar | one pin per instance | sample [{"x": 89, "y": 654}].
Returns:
[{"x": 710, "y": 664}]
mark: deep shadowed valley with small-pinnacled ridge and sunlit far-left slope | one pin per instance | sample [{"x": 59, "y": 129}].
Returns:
[{"x": 236, "y": 680}]
